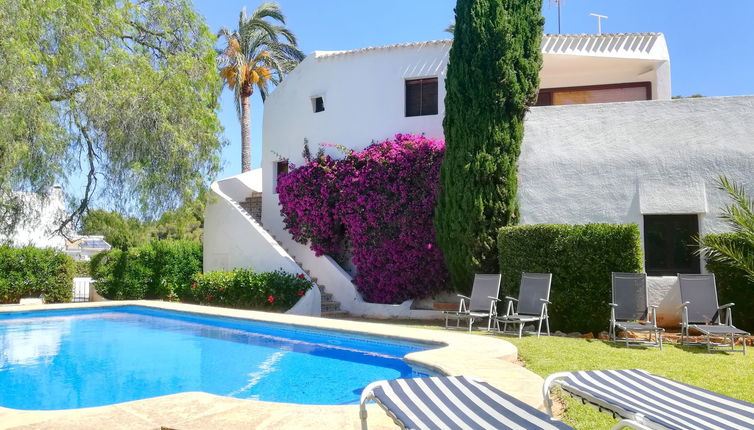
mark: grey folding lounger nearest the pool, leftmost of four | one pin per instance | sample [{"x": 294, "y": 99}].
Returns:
[{"x": 481, "y": 303}]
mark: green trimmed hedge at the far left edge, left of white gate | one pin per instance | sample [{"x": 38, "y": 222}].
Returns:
[{"x": 31, "y": 272}]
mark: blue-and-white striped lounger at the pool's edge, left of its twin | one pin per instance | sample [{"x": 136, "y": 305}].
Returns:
[{"x": 452, "y": 402}]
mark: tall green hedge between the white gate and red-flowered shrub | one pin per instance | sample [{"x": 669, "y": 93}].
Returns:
[{"x": 155, "y": 270}]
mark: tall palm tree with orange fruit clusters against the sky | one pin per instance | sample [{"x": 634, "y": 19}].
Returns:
[{"x": 259, "y": 53}]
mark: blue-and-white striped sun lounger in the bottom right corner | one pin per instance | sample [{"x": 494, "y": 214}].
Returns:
[{"x": 647, "y": 401}]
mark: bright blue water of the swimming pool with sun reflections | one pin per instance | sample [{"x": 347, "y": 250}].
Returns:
[{"x": 80, "y": 358}]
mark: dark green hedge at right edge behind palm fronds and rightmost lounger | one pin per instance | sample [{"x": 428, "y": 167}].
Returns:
[{"x": 733, "y": 286}]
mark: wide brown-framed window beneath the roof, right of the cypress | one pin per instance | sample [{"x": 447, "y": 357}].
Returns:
[{"x": 595, "y": 94}]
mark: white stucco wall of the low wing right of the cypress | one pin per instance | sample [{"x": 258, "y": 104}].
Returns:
[{"x": 616, "y": 162}]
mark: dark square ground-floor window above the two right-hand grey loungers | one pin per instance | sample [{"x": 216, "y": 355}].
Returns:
[{"x": 669, "y": 244}]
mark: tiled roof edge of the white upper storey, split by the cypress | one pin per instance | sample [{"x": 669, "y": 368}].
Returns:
[{"x": 609, "y": 44}]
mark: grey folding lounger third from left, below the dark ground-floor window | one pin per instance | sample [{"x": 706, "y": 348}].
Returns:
[{"x": 630, "y": 310}]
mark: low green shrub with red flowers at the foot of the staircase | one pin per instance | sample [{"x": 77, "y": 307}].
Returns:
[{"x": 243, "y": 288}]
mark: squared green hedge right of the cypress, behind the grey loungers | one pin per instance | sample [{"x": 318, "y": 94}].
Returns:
[{"x": 580, "y": 258}]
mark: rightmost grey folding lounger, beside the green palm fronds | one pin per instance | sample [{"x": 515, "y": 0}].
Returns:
[{"x": 701, "y": 312}]
